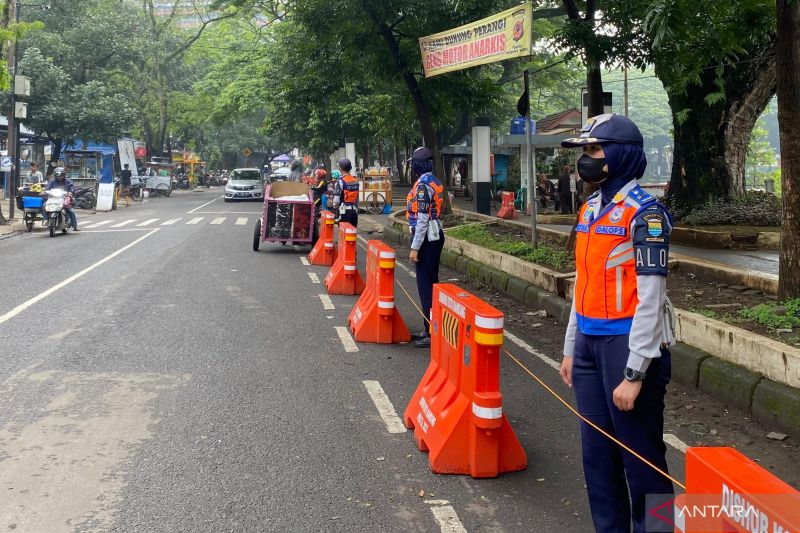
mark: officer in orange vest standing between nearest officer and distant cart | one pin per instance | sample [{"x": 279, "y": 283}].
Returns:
[{"x": 423, "y": 210}]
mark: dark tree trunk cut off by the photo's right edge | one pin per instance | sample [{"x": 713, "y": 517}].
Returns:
[{"x": 788, "y": 68}]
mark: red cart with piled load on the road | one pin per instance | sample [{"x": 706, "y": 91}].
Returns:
[{"x": 288, "y": 216}]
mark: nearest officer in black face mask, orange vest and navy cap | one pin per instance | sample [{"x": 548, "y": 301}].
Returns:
[{"x": 615, "y": 350}]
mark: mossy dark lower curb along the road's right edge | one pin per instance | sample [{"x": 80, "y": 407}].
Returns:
[{"x": 768, "y": 401}]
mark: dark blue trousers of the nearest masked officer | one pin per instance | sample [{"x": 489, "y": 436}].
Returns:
[{"x": 618, "y": 482}]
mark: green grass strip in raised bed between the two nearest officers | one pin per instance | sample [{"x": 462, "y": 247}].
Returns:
[{"x": 544, "y": 254}]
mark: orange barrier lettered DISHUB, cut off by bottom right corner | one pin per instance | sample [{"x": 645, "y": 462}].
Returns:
[{"x": 728, "y": 492}]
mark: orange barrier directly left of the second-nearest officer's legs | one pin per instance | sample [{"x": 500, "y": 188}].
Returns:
[{"x": 374, "y": 317}]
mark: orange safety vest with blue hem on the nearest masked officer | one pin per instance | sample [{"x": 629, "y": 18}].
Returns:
[{"x": 605, "y": 288}]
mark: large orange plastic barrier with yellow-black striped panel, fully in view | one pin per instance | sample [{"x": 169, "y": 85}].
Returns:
[{"x": 457, "y": 410}]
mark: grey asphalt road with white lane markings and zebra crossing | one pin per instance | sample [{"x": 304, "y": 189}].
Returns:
[{"x": 158, "y": 375}]
